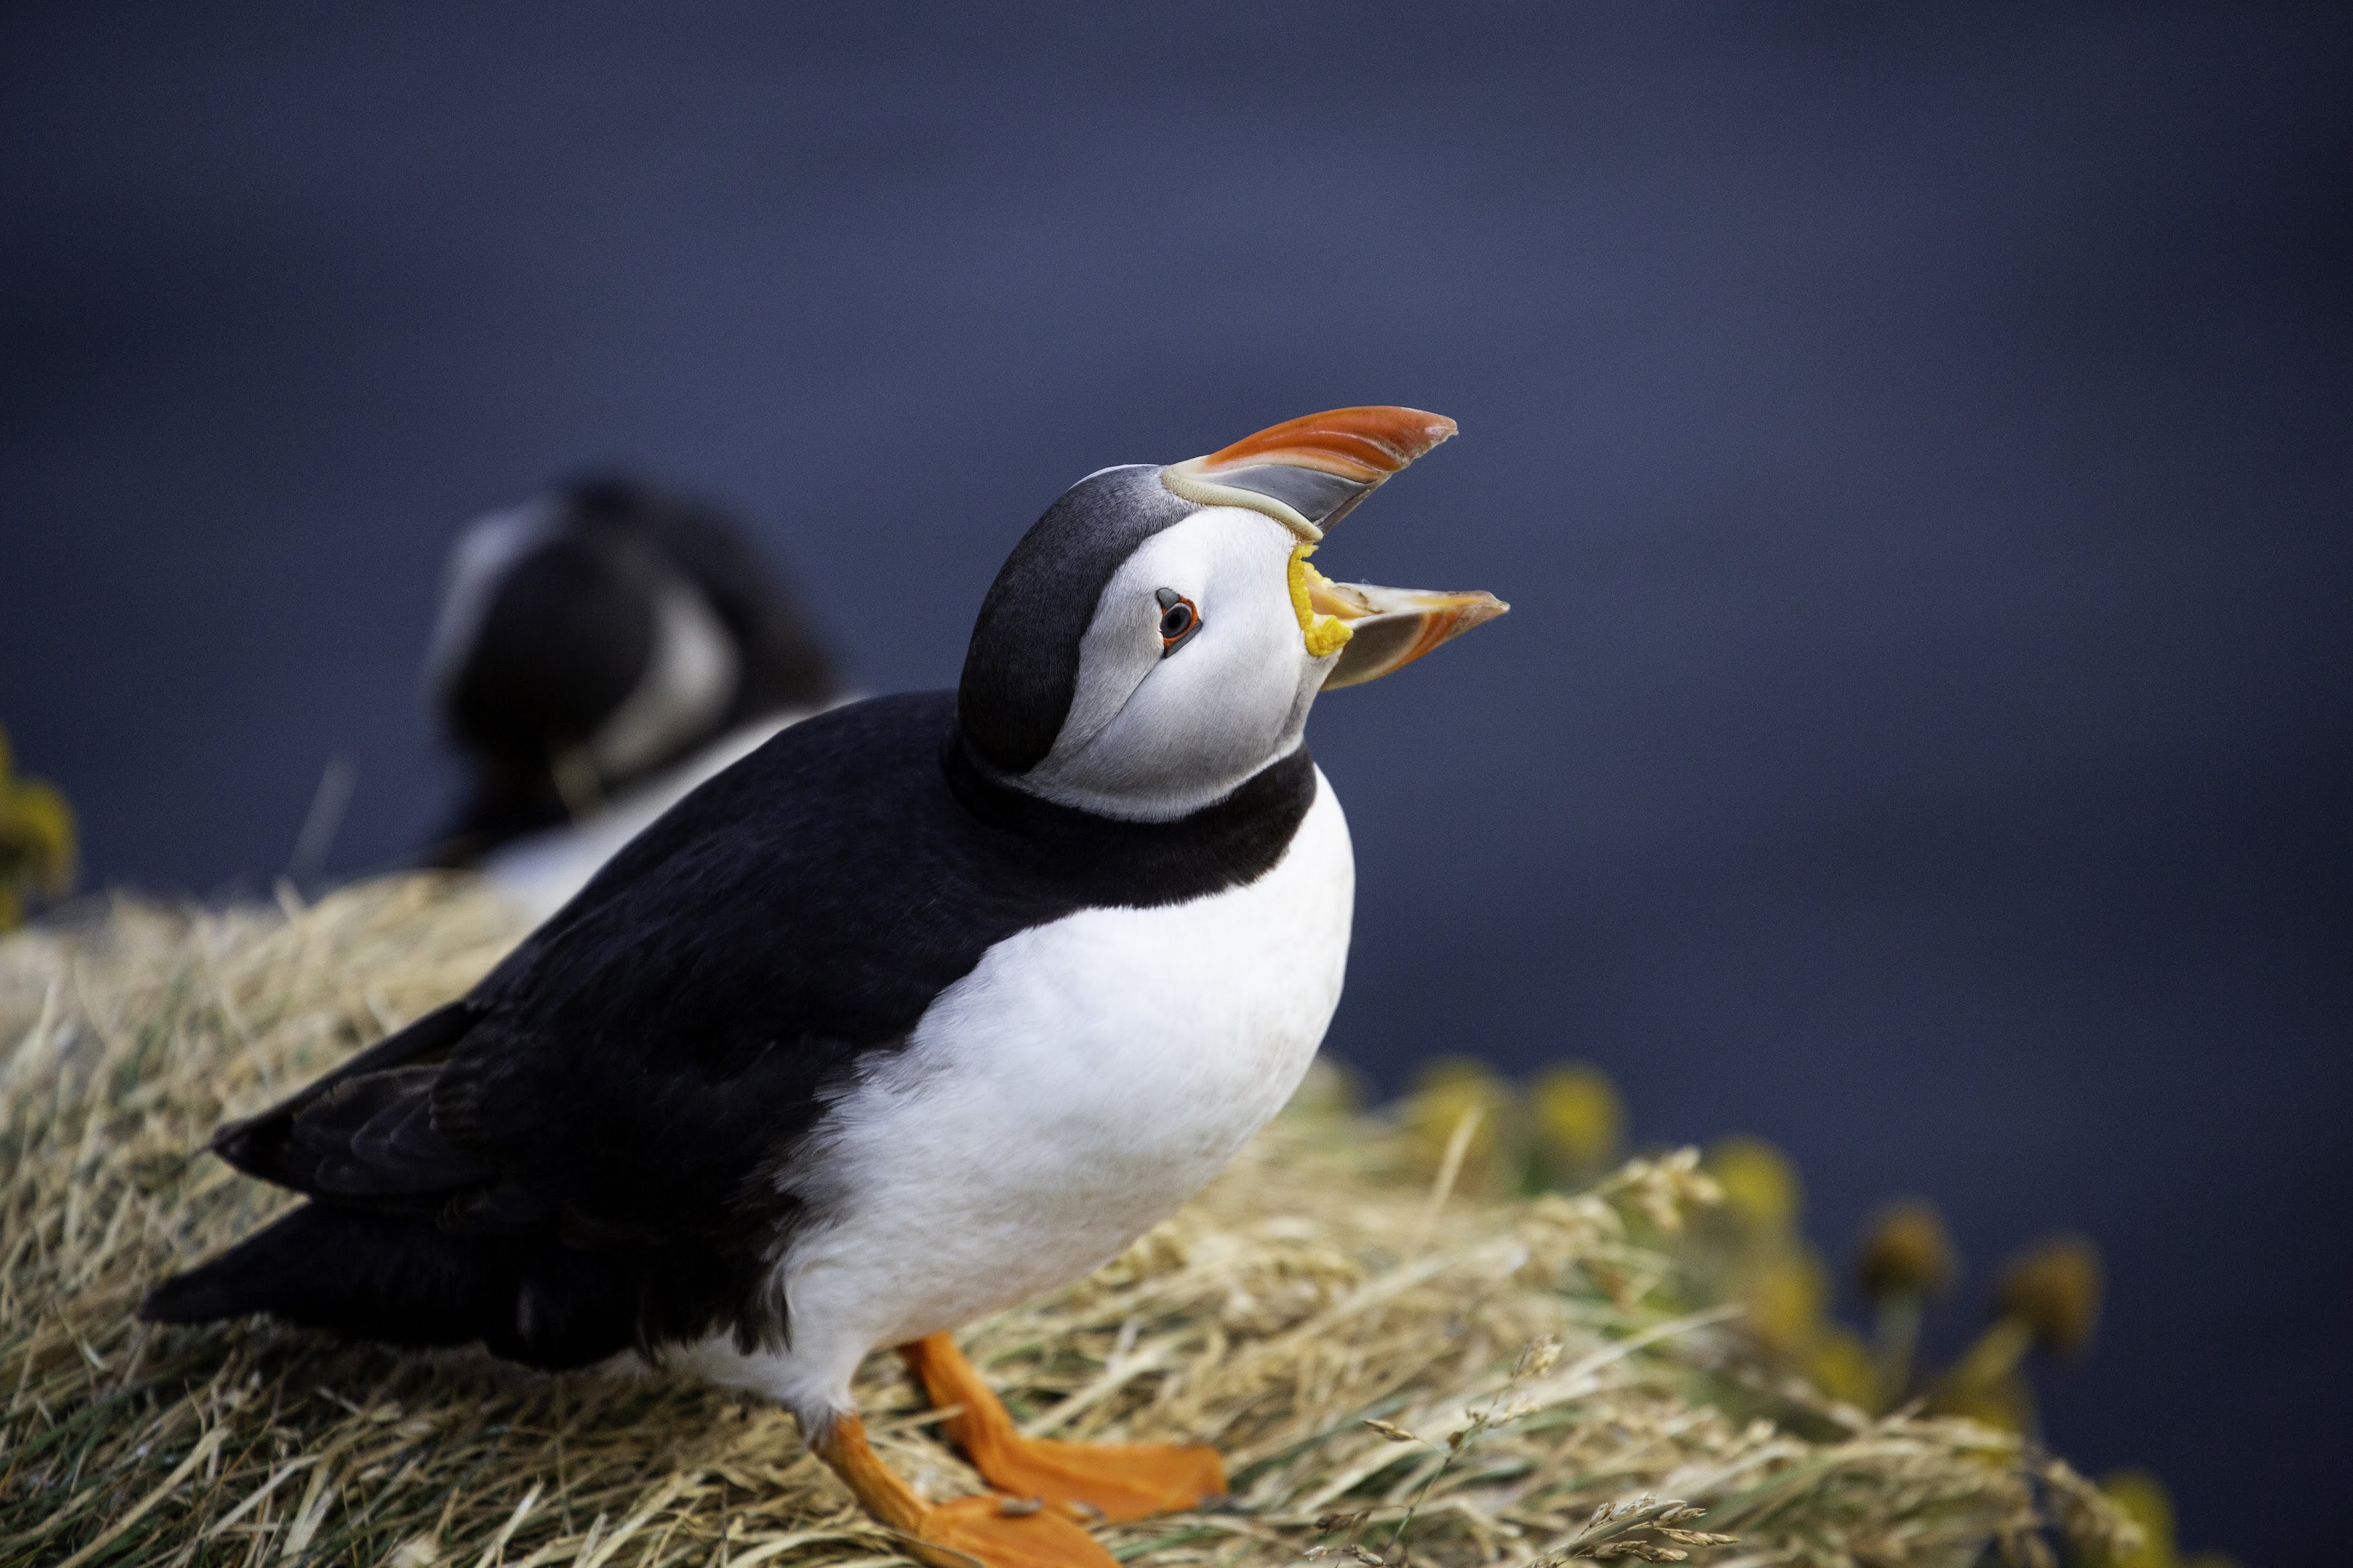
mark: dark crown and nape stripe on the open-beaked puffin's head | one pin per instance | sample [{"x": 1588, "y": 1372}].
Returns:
[{"x": 1022, "y": 667}]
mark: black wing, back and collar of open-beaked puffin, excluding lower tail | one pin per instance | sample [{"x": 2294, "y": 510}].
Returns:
[{"x": 651, "y": 1063}]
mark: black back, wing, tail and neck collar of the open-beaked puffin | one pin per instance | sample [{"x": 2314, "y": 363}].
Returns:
[{"x": 601, "y": 1143}]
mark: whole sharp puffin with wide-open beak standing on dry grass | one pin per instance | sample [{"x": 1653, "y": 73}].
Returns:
[{"x": 931, "y": 1004}]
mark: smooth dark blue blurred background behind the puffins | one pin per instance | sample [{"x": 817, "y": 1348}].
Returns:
[{"x": 1917, "y": 451}]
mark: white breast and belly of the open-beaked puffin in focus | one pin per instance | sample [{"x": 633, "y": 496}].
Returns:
[{"x": 1084, "y": 1082}]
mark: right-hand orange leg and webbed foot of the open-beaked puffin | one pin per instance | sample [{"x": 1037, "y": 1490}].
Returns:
[{"x": 1095, "y": 1480}]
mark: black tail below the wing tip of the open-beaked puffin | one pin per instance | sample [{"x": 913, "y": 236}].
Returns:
[{"x": 404, "y": 1282}]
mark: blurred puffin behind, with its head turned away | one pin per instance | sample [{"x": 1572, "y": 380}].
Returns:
[{"x": 599, "y": 653}]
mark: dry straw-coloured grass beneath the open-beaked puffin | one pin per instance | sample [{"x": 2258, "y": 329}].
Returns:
[{"x": 1354, "y": 1343}]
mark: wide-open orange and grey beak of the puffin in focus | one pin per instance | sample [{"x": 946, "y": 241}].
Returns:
[{"x": 1309, "y": 474}]
